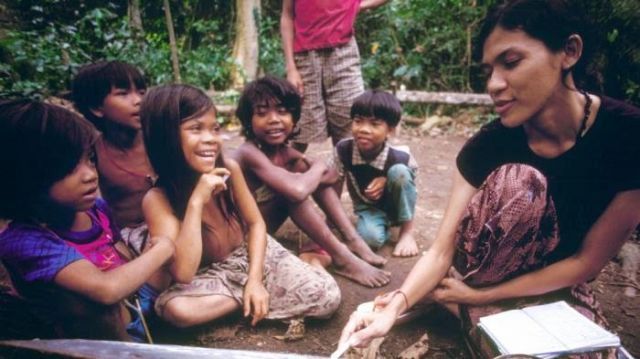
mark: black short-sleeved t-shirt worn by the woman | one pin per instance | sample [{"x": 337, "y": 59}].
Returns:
[{"x": 582, "y": 181}]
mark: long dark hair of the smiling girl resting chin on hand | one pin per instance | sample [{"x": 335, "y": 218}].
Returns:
[{"x": 162, "y": 111}]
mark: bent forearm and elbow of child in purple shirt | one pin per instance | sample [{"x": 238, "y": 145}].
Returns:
[{"x": 110, "y": 287}]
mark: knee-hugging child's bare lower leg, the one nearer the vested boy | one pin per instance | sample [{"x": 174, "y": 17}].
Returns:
[{"x": 330, "y": 203}]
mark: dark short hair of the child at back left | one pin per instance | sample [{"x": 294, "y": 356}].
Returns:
[{"x": 94, "y": 82}]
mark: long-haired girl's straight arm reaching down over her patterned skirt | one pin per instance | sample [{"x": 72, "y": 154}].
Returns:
[{"x": 256, "y": 297}]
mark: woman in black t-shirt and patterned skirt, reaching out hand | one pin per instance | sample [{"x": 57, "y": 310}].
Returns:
[{"x": 543, "y": 197}]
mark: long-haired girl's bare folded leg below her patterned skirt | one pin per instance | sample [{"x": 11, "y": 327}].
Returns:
[{"x": 189, "y": 311}]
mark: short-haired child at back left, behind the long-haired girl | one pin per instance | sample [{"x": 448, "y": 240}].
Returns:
[{"x": 109, "y": 94}]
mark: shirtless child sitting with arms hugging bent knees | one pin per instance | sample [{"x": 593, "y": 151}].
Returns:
[{"x": 282, "y": 179}]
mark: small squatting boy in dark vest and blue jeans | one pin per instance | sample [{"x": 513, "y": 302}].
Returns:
[{"x": 380, "y": 178}]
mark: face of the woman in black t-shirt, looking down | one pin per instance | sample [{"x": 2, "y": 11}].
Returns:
[{"x": 522, "y": 74}]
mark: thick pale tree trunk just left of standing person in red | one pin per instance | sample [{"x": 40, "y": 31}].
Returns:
[{"x": 245, "y": 47}]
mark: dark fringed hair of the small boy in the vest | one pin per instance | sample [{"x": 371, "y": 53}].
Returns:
[{"x": 378, "y": 104}]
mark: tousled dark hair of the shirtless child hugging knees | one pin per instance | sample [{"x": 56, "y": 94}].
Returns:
[{"x": 268, "y": 90}]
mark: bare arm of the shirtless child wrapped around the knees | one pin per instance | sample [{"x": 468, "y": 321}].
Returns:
[{"x": 295, "y": 186}]
